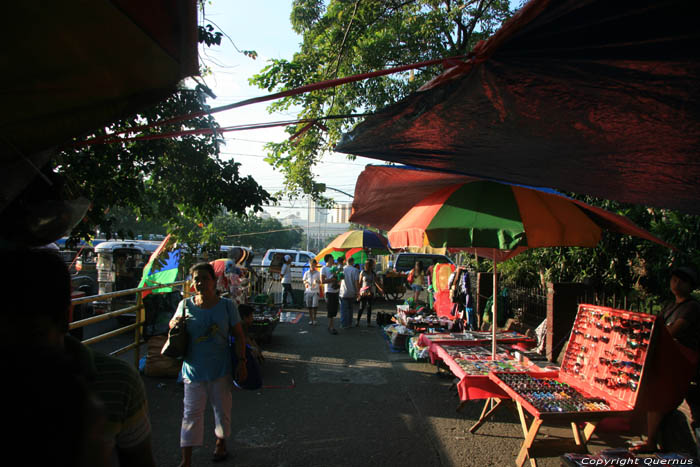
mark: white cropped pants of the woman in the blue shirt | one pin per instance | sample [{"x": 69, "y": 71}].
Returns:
[{"x": 196, "y": 394}]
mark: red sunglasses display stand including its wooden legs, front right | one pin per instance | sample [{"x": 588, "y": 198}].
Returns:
[{"x": 602, "y": 371}]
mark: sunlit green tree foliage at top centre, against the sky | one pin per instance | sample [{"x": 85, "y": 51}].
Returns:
[{"x": 343, "y": 38}]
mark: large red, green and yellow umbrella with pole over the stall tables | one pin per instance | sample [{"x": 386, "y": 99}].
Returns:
[{"x": 505, "y": 219}]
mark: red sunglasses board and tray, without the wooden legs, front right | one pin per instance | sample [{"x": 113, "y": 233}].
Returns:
[{"x": 601, "y": 370}]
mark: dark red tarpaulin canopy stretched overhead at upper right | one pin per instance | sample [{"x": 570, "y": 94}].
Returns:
[{"x": 589, "y": 96}]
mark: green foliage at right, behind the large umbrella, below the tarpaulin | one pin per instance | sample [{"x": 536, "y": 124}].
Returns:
[{"x": 619, "y": 263}]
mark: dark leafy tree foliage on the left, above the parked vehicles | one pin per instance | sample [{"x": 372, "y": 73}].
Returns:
[{"x": 181, "y": 179}]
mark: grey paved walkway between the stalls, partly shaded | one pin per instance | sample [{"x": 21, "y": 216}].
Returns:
[{"x": 343, "y": 400}]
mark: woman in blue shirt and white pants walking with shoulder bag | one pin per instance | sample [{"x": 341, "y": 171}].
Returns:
[{"x": 206, "y": 369}]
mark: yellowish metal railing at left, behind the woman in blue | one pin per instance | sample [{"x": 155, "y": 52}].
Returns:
[{"x": 138, "y": 310}]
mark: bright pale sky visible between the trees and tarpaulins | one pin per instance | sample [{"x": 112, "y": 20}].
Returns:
[{"x": 262, "y": 26}]
